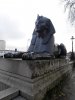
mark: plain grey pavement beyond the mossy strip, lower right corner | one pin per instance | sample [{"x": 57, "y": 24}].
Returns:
[{"x": 69, "y": 88}]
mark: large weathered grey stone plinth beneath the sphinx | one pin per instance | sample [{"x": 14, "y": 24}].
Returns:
[{"x": 33, "y": 78}]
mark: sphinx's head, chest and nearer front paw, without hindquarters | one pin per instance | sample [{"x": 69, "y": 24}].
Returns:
[{"x": 42, "y": 43}]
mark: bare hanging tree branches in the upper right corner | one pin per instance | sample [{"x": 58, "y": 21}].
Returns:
[{"x": 70, "y": 6}]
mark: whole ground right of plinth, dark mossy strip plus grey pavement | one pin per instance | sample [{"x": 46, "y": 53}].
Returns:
[{"x": 64, "y": 91}]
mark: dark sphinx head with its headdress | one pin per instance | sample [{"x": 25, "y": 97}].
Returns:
[{"x": 43, "y": 26}]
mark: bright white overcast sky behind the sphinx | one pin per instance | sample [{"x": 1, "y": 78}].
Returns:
[{"x": 17, "y": 21}]
